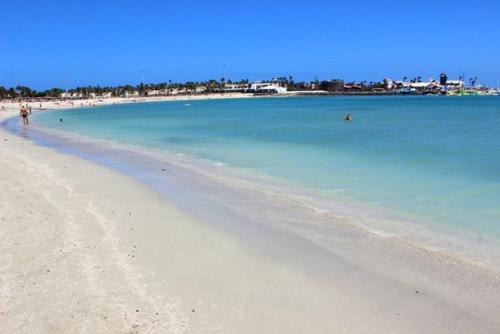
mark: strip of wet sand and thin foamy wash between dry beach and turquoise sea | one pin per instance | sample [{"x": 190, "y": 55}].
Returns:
[{"x": 279, "y": 204}]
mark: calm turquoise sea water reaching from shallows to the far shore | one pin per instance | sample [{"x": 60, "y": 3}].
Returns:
[{"x": 434, "y": 159}]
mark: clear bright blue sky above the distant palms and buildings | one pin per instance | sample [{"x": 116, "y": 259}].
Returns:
[{"x": 68, "y": 43}]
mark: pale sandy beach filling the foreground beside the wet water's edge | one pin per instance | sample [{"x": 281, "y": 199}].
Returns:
[{"x": 407, "y": 290}]
